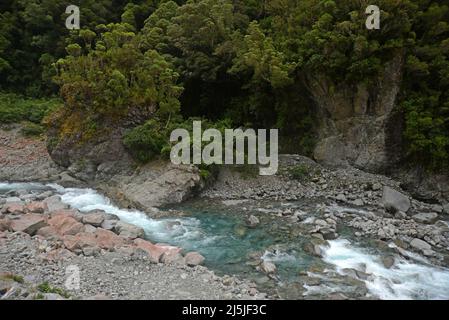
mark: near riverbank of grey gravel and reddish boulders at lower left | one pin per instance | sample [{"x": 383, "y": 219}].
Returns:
[{"x": 41, "y": 238}]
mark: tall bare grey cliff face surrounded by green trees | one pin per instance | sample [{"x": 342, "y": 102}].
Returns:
[{"x": 359, "y": 125}]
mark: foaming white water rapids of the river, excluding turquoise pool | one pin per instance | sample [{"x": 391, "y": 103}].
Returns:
[{"x": 407, "y": 279}]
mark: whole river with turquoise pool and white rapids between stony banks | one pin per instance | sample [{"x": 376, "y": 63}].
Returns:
[{"x": 217, "y": 230}]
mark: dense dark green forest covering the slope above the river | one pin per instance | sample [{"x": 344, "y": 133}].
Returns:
[{"x": 147, "y": 65}]
